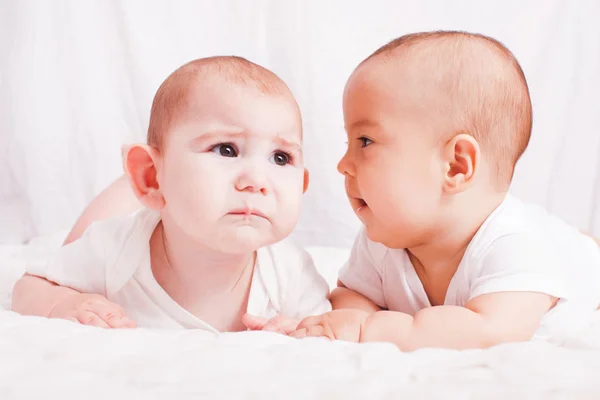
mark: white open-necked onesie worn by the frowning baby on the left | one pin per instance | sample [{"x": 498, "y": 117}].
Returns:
[{"x": 112, "y": 259}]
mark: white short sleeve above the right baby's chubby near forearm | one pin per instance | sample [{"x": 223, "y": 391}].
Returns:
[{"x": 518, "y": 262}]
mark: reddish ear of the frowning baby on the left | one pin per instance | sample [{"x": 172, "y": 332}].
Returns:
[{"x": 140, "y": 163}]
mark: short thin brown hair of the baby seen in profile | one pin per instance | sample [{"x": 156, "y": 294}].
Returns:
[{"x": 481, "y": 90}]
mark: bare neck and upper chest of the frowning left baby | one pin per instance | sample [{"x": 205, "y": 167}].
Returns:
[{"x": 200, "y": 279}]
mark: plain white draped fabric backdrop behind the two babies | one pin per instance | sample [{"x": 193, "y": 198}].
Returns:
[{"x": 77, "y": 79}]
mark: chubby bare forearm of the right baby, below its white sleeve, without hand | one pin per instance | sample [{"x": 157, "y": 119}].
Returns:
[{"x": 485, "y": 321}]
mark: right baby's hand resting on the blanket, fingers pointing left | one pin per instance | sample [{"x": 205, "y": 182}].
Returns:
[{"x": 342, "y": 324}]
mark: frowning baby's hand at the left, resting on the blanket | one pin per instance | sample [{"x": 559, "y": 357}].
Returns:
[{"x": 91, "y": 309}]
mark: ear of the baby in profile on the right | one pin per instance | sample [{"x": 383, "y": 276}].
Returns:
[{"x": 461, "y": 162}]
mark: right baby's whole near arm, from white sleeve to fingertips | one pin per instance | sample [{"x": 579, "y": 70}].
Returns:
[{"x": 519, "y": 281}]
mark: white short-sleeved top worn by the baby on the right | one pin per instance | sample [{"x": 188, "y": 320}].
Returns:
[{"x": 518, "y": 248}]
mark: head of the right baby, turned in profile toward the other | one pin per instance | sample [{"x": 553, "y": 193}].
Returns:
[{"x": 433, "y": 120}]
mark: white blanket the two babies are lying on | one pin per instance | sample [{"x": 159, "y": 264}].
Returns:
[{"x": 51, "y": 359}]
